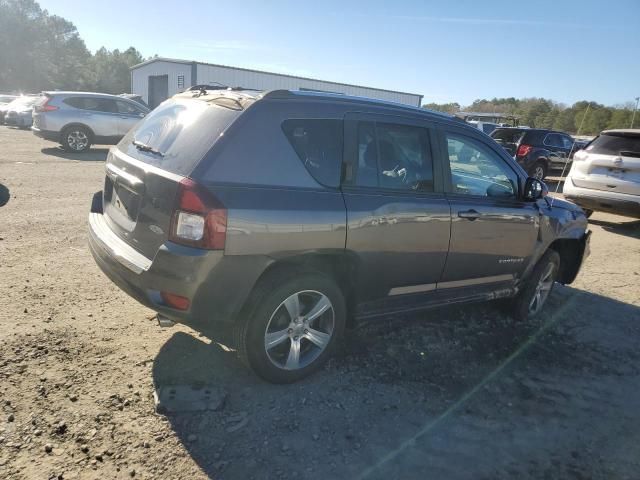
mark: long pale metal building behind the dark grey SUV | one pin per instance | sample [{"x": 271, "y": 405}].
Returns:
[{"x": 157, "y": 79}]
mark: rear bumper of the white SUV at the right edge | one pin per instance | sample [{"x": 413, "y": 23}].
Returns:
[{"x": 603, "y": 201}]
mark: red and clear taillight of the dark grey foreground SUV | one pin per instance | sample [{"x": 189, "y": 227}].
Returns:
[{"x": 199, "y": 219}]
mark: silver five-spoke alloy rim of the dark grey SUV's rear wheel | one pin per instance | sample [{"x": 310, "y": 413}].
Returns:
[{"x": 299, "y": 330}]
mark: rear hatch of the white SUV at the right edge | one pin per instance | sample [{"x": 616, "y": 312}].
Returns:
[{"x": 611, "y": 162}]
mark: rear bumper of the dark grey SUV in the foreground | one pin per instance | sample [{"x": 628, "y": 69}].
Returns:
[{"x": 216, "y": 285}]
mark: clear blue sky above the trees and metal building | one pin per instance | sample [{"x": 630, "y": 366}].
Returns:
[{"x": 448, "y": 51}]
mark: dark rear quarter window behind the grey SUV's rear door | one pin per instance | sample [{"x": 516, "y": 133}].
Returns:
[{"x": 318, "y": 144}]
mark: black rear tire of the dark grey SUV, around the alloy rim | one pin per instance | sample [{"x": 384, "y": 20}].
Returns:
[{"x": 267, "y": 303}]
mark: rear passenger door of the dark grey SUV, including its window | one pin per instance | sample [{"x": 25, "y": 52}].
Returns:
[{"x": 398, "y": 218}]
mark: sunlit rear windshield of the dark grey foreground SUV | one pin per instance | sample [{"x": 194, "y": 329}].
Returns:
[{"x": 177, "y": 134}]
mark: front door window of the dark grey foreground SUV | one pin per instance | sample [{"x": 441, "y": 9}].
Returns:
[{"x": 478, "y": 170}]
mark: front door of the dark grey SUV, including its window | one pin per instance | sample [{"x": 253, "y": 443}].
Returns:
[{"x": 493, "y": 232}]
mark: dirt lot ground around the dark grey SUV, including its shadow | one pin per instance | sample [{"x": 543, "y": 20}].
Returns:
[{"x": 447, "y": 394}]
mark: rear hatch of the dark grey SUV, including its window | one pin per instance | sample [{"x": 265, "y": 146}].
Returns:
[{"x": 144, "y": 170}]
